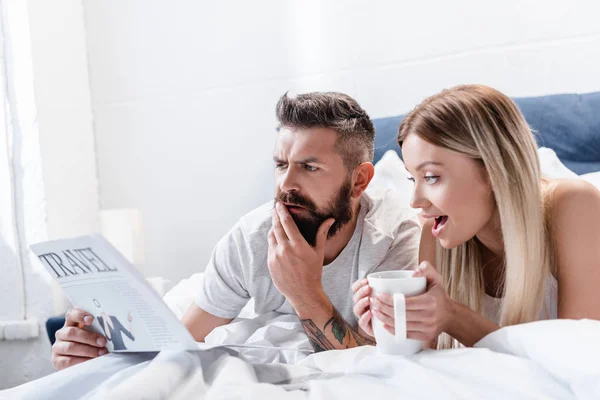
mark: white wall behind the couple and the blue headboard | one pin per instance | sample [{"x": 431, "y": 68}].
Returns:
[{"x": 184, "y": 91}]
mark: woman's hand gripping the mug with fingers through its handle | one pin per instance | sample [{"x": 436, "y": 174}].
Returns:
[{"x": 427, "y": 315}]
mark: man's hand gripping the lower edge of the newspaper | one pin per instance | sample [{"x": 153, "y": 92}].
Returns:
[{"x": 74, "y": 344}]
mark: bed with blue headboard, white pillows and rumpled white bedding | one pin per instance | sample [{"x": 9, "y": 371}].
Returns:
[{"x": 268, "y": 356}]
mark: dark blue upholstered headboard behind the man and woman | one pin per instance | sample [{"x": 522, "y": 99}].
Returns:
[{"x": 567, "y": 123}]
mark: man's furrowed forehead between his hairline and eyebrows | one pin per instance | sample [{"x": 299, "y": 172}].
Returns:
[{"x": 312, "y": 142}]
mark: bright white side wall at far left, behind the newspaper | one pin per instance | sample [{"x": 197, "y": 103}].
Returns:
[{"x": 55, "y": 184}]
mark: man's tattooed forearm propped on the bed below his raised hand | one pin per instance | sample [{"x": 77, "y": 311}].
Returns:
[{"x": 325, "y": 327}]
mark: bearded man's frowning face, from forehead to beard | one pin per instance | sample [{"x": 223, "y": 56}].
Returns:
[{"x": 311, "y": 179}]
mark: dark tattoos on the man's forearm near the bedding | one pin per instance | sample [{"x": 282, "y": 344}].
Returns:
[{"x": 338, "y": 329}]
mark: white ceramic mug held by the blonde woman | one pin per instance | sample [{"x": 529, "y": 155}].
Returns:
[{"x": 399, "y": 284}]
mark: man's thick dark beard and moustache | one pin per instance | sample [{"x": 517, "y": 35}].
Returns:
[{"x": 339, "y": 208}]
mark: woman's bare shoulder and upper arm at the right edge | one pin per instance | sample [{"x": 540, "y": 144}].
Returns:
[{"x": 576, "y": 228}]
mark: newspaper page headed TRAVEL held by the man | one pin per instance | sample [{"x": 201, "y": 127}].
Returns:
[{"x": 98, "y": 279}]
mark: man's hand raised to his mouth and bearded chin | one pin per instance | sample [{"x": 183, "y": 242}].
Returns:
[{"x": 296, "y": 267}]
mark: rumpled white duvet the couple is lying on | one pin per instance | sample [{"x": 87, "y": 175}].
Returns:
[{"x": 557, "y": 359}]
